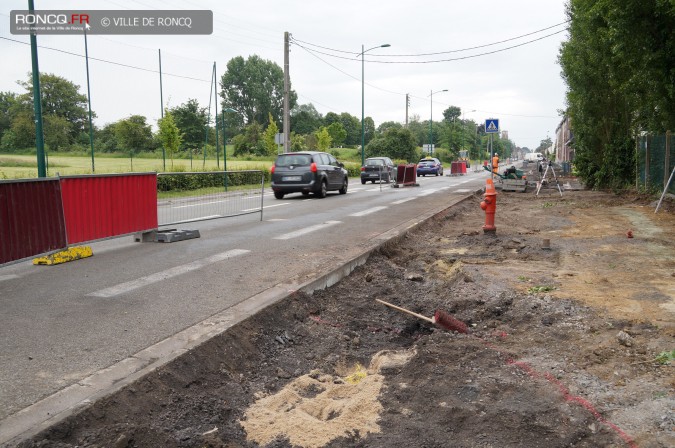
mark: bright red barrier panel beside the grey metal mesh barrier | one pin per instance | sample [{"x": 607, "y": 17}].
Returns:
[{"x": 102, "y": 206}]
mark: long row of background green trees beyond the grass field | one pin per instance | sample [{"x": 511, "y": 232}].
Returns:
[{"x": 249, "y": 117}]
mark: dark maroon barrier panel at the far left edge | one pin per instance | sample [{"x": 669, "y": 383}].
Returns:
[{"x": 31, "y": 218}]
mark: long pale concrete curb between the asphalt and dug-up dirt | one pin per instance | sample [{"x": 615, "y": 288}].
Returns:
[{"x": 53, "y": 409}]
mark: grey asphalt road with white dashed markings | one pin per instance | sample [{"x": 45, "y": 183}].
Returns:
[{"x": 61, "y": 324}]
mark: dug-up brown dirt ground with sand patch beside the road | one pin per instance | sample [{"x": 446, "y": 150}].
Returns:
[{"x": 562, "y": 350}]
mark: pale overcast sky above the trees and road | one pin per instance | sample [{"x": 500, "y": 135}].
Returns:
[{"x": 520, "y": 86}]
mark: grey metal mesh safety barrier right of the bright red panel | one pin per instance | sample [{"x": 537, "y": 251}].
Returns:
[{"x": 200, "y": 196}]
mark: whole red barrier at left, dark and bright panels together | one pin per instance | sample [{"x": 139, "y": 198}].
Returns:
[{"x": 44, "y": 215}]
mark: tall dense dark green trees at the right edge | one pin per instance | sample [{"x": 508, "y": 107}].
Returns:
[{"x": 619, "y": 67}]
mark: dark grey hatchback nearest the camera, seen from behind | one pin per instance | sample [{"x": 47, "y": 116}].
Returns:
[{"x": 308, "y": 172}]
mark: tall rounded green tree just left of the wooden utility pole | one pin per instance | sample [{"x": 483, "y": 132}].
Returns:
[{"x": 255, "y": 87}]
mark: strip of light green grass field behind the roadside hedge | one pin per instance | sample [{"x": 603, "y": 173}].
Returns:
[{"x": 25, "y": 166}]
